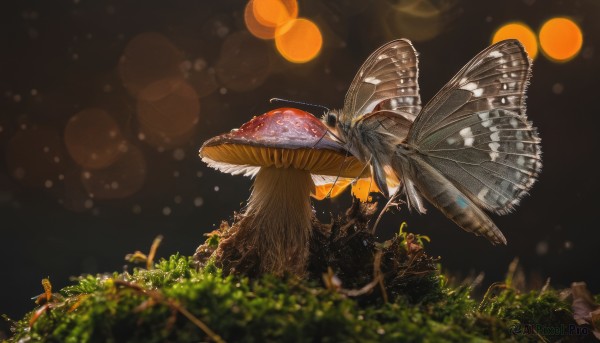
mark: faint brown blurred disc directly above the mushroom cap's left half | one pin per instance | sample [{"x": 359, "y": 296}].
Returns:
[{"x": 243, "y": 63}]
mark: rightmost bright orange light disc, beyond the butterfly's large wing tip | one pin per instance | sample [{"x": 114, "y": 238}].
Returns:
[{"x": 560, "y": 39}]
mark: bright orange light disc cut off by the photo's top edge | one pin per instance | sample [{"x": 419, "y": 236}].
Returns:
[{"x": 274, "y": 13}]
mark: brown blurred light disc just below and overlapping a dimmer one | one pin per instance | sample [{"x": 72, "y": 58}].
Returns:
[{"x": 170, "y": 120}]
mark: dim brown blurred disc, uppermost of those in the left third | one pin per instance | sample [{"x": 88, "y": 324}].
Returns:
[{"x": 149, "y": 57}]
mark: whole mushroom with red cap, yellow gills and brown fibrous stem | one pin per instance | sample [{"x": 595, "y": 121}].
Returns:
[{"x": 288, "y": 151}]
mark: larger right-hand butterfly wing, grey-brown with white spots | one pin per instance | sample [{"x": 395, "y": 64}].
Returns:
[{"x": 476, "y": 134}]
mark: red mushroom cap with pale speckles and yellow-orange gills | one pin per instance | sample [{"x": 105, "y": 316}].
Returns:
[{"x": 282, "y": 138}]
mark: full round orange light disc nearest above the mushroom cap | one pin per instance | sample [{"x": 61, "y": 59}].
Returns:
[{"x": 300, "y": 40}]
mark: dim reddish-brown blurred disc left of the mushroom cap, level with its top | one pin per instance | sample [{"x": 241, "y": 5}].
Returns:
[{"x": 93, "y": 138}]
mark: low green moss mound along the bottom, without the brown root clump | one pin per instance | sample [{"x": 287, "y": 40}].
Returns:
[{"x": 175, "y": 302}]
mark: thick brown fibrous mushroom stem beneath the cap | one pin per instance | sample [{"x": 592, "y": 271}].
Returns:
[{"x": 277, "y": 221}]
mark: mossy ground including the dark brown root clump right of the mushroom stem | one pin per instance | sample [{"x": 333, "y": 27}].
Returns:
[{"x": 355, "y": 289}]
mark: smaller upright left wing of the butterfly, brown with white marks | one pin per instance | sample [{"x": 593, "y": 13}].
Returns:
[{"x": 388, "y": 80}]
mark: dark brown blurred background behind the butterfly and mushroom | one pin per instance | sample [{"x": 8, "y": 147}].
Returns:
[{"x": 62, "y": 57}]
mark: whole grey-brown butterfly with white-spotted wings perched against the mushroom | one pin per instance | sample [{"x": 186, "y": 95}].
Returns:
[{"x": 470, "y": 149}]
